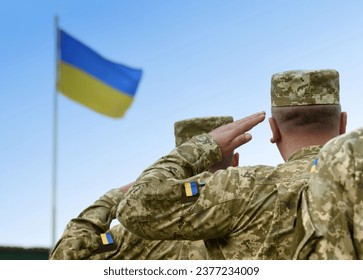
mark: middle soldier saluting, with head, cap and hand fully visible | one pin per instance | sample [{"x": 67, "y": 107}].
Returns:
[{"x": 242, "y": 212}]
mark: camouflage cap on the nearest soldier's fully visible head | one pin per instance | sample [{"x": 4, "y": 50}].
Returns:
[{"x": 305, "y": 87}]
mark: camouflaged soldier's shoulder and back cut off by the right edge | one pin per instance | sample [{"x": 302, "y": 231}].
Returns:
[{"x": 335, "y": 209}]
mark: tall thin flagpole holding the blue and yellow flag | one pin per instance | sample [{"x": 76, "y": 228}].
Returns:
[{"x": 55, "y": 138}]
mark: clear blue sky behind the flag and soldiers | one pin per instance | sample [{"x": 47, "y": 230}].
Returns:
[{"x": 200, "y": 58}]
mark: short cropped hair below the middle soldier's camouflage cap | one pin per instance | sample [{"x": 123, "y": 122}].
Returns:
[{"x": 310, "y": 118}]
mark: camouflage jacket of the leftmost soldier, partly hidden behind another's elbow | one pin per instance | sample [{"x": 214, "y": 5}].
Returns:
[{"x": 81, "y": 238}]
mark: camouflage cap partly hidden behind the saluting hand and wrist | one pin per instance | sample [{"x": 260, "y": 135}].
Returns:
[{"x": 186, "y": 129}]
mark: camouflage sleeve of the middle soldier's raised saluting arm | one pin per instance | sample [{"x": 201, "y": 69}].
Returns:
[{"x": 159, "y": 207}]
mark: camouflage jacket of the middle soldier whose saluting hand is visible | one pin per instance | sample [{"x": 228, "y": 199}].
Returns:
[{"x": 241, "y": 212}]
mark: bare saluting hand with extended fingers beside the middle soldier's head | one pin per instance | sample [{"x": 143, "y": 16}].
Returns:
[{"x": 231, "y": 136}]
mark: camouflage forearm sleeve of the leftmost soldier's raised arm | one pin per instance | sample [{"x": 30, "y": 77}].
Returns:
[{"x": 82, "y": 234}]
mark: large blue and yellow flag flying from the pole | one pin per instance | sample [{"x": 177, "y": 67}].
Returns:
[{"x": 88, "y": 78}]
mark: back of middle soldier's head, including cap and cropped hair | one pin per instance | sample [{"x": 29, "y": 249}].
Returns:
[{"x": 306, "y": 101}]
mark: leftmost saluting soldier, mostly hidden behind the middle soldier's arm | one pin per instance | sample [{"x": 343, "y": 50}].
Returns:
[{"x": 82, "y": 238}]
